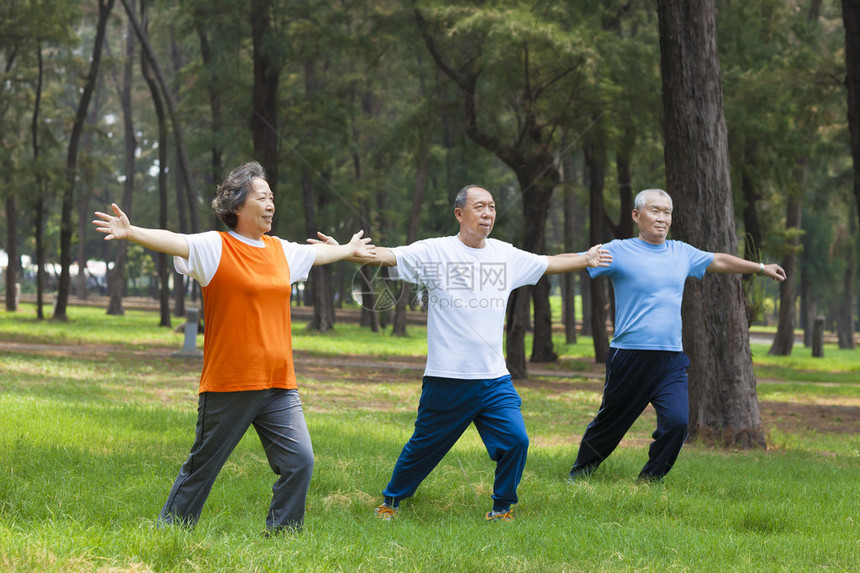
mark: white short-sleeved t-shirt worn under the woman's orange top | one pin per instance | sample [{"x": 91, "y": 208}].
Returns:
[{"x": 204, "y": 256}]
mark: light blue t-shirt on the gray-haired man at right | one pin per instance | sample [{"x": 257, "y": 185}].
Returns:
[{"x": 649, "y": 287}]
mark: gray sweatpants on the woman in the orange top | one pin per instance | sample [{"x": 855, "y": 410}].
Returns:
[{"x": 222, "y": 420}]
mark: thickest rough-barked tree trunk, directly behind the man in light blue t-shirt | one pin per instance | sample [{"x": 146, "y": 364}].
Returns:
[{"x": 723, "y": 401}]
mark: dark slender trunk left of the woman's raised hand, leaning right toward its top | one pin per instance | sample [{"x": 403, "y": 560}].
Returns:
[{"x": 105, "y": 7}]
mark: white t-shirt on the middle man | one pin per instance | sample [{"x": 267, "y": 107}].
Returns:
[{"x": 468, "y": 293}]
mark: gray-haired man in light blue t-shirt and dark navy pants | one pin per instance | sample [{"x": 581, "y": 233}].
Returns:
[{"x": 646, "y": 361}]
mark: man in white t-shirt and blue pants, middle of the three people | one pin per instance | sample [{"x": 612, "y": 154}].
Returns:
[{"x": 468, "y": 278}]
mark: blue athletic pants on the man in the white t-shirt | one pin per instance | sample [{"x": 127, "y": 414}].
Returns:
[{"x": 446, "y": 408}]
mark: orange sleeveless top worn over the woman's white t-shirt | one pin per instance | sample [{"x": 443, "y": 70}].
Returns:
[{"x": 248, "y": 343}]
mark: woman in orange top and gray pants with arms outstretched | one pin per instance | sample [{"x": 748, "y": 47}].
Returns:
[{"x": 248, "y": 376}]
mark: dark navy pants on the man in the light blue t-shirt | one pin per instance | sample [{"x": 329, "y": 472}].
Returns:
[{"x": 635, "y": 378}]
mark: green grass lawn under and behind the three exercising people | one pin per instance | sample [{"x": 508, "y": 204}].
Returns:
[{"x": 92, "y": 435}]
